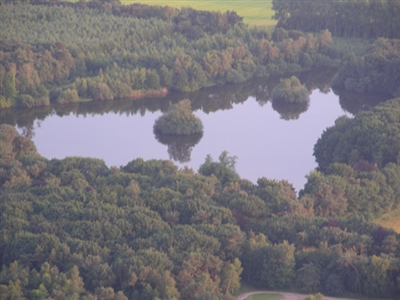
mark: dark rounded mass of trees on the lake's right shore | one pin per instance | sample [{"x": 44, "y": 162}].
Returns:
[{"x": 371, "y": 136}]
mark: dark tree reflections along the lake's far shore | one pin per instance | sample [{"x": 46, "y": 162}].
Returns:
[{"x": 207, "y": 100}]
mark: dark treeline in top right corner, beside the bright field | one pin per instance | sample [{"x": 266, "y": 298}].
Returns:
[{"x": 362, "y": 19}]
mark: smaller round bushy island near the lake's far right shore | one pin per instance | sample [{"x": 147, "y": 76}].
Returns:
[{"x": 290, "y": 90}]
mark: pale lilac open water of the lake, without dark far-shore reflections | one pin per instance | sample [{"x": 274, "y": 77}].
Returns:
[{"x": 265, "y": 144}]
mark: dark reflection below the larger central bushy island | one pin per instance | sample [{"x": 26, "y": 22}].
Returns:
[{"x": 179, "y": 146}]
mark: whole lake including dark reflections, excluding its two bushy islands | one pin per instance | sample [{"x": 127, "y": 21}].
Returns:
[{"x": 268, "y": 140}]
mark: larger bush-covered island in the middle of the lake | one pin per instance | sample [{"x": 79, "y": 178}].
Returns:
[{"x": 179, "y": 120}]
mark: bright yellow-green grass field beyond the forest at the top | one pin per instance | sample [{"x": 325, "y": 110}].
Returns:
[{"x": 254, "y": 12}]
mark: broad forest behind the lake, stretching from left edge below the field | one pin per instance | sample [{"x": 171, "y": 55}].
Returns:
[{"x": 60, "y": 52}]
